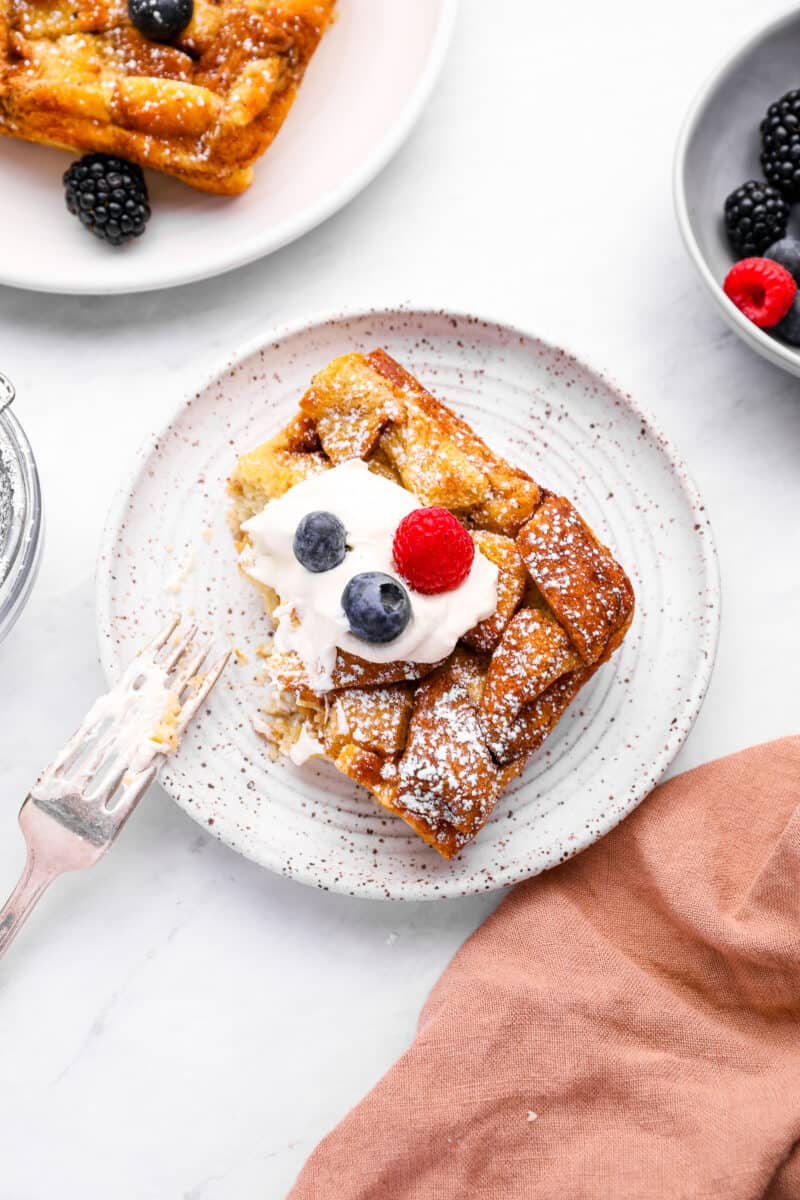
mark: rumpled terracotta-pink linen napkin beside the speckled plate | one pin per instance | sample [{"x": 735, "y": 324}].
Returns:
[{"x": 627, "y": 1027}]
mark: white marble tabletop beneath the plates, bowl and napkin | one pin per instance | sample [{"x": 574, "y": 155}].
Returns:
[{"x": 178, "y": 1023}]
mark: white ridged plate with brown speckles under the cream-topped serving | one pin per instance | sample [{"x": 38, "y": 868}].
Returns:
[{"x": 167, "y": 545}]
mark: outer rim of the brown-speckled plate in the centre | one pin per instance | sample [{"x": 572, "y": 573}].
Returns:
[{"x": 675, "y": 736}]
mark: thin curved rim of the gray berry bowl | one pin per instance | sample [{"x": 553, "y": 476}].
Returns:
[{"x": 775, "y": 352}]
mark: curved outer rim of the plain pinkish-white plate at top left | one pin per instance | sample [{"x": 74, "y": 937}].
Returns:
[{"x": 306, "y": 220}]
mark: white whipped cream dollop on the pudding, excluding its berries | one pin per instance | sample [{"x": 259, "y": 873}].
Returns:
[{"x": 310, "y": 619}]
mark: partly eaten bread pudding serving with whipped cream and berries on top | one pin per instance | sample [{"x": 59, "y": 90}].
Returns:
[{"x": 436, "y": 610}]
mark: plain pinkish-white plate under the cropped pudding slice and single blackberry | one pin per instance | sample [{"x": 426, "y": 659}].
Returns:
[{"x": 363, "y": 93}]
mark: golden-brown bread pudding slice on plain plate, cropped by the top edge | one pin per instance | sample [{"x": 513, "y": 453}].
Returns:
[{"x": 204, "y": 109}]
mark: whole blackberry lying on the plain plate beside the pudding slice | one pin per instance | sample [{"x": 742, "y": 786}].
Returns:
[{"x": 109, "y": 196}]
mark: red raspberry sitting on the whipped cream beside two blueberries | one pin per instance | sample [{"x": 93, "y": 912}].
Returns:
[{"x": 434, "y": 553}]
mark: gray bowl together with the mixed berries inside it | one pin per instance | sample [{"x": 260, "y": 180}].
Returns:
[{"x": 738, "y": 190}]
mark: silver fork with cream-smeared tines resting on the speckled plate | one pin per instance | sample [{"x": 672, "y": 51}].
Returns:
[{"x": 79, "y": 806}]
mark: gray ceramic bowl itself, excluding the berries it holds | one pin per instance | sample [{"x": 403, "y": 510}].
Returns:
[{"x": 719, "y": 149}]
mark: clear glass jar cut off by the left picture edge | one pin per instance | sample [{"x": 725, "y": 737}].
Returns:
[{"x": 21, "y": 514}]
